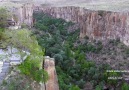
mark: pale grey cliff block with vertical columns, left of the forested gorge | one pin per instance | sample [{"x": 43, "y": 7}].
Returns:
[{"x": 24, "y": 13}]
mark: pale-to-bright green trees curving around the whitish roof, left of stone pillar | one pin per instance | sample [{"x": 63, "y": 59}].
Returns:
[{"x": 24, "y": 40}]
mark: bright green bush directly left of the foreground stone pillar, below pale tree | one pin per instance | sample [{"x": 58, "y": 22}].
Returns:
[{"x": 31, "y": 69}]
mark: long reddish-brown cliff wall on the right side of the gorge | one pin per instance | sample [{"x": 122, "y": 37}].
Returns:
[{"x": 99, "y": 25}]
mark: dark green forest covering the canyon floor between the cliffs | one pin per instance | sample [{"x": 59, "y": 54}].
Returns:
[{"x": 73, "y": 68}]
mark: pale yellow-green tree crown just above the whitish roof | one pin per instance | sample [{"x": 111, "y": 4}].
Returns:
[{"x": 24, "y": 40}]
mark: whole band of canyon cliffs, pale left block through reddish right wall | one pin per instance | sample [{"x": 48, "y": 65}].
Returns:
[{"x": 96, "y": 24}]
